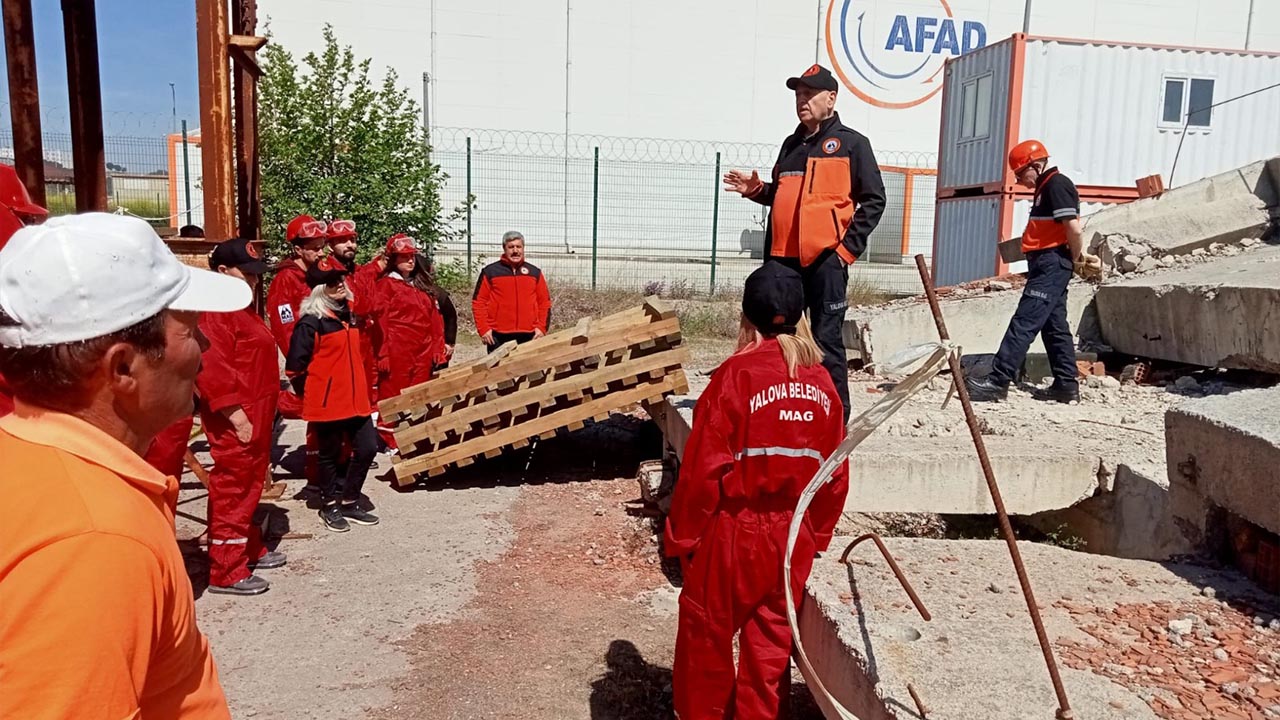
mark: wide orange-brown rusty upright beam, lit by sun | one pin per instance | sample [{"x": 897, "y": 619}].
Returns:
[{"x": 216, "y": 120}]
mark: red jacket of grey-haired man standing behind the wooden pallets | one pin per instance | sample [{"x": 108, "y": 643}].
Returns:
[{"x": 511, "y": 299}]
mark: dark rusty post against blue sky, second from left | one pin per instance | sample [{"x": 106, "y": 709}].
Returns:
[{"x": 85, "y": 92}]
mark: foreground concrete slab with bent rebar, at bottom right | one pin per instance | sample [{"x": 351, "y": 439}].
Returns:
[{"x": 979, "y": 658}]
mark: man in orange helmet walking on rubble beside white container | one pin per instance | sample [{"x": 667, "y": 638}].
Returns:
[{"x": 1054, "y": 247}]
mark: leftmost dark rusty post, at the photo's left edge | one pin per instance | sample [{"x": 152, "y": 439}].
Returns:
[{"x": 20, "y": 48}]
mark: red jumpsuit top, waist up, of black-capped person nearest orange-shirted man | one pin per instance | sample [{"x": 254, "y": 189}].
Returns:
[{"x": 241, "y": 366}]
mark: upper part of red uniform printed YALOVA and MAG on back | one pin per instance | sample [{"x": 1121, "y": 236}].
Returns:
[{"x": 757, "y": 441}]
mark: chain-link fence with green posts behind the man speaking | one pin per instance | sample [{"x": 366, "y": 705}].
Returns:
[{"x": 636, "y": 213}]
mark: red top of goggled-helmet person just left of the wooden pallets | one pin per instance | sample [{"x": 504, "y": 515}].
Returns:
[{"x": 412, "y": 330}]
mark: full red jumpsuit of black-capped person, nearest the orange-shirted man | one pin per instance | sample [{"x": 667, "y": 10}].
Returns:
[{"x": 240, "y": 368}]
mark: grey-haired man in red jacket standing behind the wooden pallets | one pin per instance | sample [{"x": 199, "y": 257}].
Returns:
[{"x": 511, "y": 300}]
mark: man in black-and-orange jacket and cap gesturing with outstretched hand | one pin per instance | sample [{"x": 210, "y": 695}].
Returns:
[{"x": 826, "y": 199}]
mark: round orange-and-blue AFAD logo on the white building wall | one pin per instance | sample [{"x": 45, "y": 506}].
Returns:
[{"x": 895, "y": 61}]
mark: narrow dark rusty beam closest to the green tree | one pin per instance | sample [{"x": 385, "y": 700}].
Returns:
[{"x": 248, "y": 179}]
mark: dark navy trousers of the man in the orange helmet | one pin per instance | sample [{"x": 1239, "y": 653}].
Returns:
[{"x": 1043, "y": 311}]
